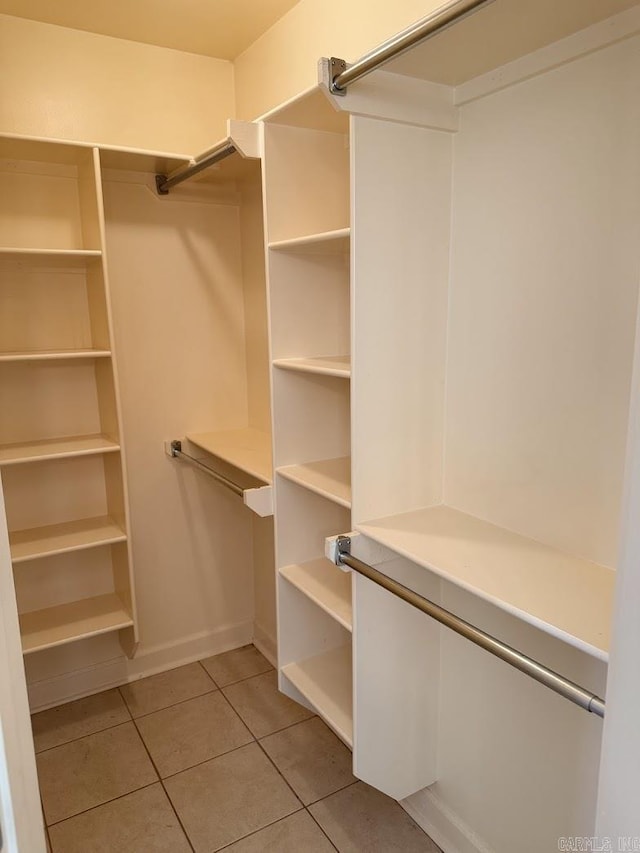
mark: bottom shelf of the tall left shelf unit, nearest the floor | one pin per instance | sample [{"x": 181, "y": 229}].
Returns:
[{"x": 55, "y": 626}]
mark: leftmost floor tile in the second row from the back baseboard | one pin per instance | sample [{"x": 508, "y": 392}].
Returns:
[{"x": 88, "y": 772}]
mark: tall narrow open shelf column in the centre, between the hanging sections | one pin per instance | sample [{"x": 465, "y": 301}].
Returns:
[{"x": 306, "y": 150}]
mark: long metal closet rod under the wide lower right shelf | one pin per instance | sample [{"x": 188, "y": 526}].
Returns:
[{"x": 553, "y": 680}]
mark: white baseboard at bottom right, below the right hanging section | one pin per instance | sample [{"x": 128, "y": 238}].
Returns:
[{"x": 442, "y": 824}]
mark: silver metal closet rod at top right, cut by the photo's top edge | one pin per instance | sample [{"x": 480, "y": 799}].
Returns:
[{"x": 427, "y": 27}]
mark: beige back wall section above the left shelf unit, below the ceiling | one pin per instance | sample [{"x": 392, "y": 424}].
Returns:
[{"x": 68, "y": 84}]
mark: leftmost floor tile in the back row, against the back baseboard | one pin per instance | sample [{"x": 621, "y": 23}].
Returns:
[{"x": 78, "y": 719}]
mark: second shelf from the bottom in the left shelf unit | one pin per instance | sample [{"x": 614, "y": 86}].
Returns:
[{"x": 64, "y": 538}]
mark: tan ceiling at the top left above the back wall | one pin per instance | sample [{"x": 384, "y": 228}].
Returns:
[{"x": 219, "y": 28}]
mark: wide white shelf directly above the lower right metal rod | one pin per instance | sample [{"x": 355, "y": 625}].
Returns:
[{"x": 567, "y": 597}]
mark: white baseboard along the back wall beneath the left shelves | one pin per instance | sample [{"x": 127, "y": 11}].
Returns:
[{"x": 148, "y": 661}]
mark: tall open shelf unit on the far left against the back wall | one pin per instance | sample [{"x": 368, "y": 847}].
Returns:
[{"x": 61, "y": 454}]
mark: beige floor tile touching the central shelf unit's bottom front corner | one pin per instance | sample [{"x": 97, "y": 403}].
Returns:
[{"x": 311, "y": 758}]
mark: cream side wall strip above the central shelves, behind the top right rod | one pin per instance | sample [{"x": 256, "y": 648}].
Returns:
[{"x": 283, "y": 61}]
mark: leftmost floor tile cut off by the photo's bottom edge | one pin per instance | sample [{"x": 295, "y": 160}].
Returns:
[{"x": 142, "y": 822}]
